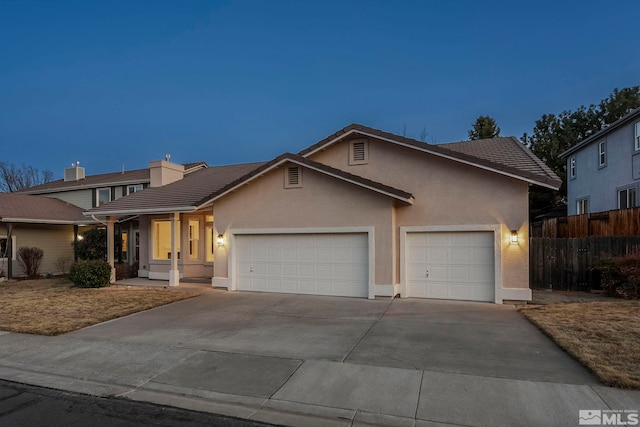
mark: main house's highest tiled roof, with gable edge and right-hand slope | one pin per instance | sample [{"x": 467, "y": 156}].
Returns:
[{"x": 503, "y": 155}]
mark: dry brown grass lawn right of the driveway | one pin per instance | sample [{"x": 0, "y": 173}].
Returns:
[{"x": 603, "y": 336}]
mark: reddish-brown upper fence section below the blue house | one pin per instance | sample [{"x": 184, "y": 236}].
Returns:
[{"x": 621, "y": 222}]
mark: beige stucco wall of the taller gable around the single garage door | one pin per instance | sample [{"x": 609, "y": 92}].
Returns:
[{"x": 447, "y": 193}]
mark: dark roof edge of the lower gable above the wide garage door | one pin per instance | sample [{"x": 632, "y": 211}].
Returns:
[{"x": 295, "y": 158}]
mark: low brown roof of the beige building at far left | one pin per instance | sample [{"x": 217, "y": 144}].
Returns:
[{"x": 39, "y": 209}]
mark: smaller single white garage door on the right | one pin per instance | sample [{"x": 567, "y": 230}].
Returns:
[{"x": 451, "y": 265}]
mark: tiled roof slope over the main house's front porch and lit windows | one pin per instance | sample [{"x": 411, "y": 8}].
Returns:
[{"x": 184, "y": 194}]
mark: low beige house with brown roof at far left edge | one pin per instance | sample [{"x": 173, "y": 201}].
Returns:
[{"x": 47, "y": 223}]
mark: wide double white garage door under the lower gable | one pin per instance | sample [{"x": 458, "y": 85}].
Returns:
[{"x": 316, "y": 264}]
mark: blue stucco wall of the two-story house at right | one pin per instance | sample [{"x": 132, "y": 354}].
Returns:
[{"x": 600, "y": 185}]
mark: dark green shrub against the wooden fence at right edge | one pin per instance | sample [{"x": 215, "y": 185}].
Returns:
[{"x": 620, "y": 276}]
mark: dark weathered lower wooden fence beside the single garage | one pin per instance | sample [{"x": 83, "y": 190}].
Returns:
[{"x": 568, "y": 263}]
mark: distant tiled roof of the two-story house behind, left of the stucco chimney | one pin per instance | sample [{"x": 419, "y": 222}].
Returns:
[{"x": 92, "y": 181}]
